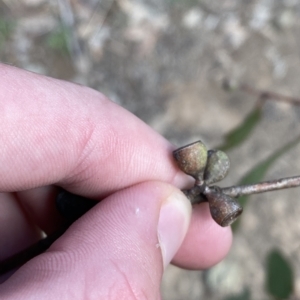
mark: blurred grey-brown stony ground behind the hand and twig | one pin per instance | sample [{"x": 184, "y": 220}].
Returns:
[{"x": 166, "y": 61}]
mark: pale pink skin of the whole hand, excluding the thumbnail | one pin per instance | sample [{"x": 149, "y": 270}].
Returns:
[{"x": 54, "y": 133}]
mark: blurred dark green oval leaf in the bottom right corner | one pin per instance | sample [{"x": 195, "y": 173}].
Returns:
[{"x": 279, "y": 275}]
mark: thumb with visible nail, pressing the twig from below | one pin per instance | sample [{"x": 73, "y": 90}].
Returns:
[{"x": 118, "y": 250}]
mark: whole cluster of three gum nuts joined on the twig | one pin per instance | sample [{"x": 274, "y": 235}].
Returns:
[{"x": 208, "y": 167}]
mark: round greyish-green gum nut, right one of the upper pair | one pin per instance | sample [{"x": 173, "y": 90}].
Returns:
[{"x": 217, "y": 166}]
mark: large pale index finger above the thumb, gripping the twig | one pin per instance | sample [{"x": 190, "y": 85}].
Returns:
[{"x": 58, "y": 132}]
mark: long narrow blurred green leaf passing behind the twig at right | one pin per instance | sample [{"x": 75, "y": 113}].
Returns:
[{"x": 258, "y": 173}]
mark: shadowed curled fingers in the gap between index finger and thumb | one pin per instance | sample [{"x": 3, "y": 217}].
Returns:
[{"x": 24, "y": 218}]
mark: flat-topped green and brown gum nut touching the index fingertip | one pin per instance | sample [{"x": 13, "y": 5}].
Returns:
[{"x": 191, "y": 159}]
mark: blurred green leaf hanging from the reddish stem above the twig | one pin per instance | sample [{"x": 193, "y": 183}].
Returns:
[{"x": 239, "y": 134}]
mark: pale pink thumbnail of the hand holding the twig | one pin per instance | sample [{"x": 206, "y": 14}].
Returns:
[{"x": 174, "y": 220}]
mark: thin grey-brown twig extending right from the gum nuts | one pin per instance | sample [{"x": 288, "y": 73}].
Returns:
[{"x": 261, "y": 187}]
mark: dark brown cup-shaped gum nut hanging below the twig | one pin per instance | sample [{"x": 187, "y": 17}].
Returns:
[{"x": 224, "y": 209}]
